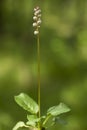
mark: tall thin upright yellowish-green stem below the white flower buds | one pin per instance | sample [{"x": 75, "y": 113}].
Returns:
[{"x": 38, "y": 54}]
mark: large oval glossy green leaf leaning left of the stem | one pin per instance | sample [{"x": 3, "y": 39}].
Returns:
[{"x": 27, "y": 103}]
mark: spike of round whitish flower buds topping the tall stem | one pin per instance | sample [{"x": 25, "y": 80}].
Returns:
[{"x": 37, "y": 19}]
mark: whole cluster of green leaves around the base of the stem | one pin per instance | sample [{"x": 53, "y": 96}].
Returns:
[{"x": 27, "y": 103}]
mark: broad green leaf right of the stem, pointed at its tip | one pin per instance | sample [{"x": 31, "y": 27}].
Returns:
[{"x": 59, "y": 109}]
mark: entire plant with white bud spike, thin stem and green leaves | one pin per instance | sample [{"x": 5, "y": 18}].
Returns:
[{"x": 35, "y": 121}]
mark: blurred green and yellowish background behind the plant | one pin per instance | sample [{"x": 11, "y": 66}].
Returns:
[{"x": 63, "y": 41}]
